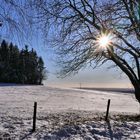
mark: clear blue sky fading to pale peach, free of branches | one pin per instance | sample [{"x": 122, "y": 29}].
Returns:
[{"x": 88, "y": 77}]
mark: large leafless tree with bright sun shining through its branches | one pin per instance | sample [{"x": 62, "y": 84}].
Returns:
[{"x": 94, "y": 32}]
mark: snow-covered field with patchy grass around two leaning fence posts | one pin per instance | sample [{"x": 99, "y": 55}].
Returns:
[{"x": 70, "y": 114}]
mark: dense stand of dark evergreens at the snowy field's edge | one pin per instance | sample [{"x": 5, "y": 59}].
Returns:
[{"x": 20, "y": 66}]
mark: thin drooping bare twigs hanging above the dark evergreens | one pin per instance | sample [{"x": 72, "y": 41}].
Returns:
[{"x": 15, "y": 18}]
